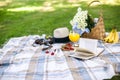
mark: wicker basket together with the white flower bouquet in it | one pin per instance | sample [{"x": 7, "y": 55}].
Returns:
[{"x": 83, "y": 24}]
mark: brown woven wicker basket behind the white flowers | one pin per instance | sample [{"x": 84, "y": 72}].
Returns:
[{"x": 97, "y": 32}]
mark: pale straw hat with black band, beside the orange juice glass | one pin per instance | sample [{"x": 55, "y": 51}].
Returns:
[{"x": 61, "y": 35}]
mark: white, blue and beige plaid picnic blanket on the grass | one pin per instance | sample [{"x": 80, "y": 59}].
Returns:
[{"x": 19, "y": 60}]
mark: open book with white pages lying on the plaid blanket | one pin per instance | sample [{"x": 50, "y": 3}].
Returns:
[{"x": 87, "y": 49}]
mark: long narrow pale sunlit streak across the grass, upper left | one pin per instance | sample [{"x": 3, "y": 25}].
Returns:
[{"x": 45, "y": 8}]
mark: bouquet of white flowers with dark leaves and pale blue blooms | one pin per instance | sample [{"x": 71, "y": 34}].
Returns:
[{"x": 82, "y": 22}]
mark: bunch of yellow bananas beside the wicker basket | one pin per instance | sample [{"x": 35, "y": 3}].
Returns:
[{"x": 113, "y": 36}]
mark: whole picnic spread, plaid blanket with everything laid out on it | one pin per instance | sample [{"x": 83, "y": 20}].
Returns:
[{"x": 36, "y": 57}]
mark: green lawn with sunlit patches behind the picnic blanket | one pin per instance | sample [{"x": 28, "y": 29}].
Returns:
[{"x": 43, "y": 16}]
